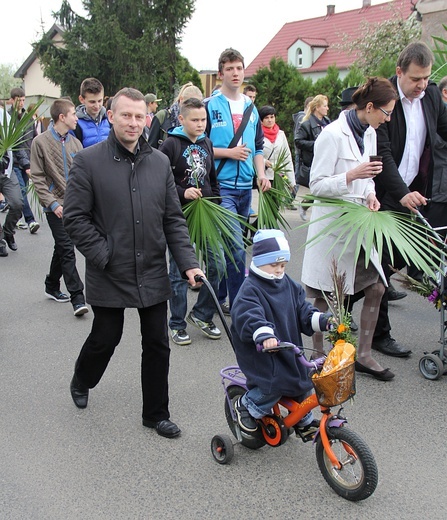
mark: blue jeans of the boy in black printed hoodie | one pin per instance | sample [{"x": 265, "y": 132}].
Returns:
[{"x": 178, "y": 303}]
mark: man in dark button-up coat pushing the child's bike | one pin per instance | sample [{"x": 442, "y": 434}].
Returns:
[{"x": 122, "y": 211}]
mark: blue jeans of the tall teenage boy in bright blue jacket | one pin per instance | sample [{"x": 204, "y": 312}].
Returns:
[{"x": 239, "y": 202}]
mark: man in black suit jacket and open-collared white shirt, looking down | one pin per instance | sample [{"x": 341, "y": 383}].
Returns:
[{"x": 411, "y": 143}]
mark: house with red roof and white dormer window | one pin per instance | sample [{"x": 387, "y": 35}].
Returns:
[{"x": 313, "y": 45}]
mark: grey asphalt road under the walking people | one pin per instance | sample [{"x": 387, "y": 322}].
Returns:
[{"x": 58, "y": 462}]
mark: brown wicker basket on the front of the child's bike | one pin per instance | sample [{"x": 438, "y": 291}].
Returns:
[{"x": 336, "y": 388}]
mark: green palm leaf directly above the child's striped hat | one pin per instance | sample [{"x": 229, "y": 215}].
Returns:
[{"x": 274, "y": 201}]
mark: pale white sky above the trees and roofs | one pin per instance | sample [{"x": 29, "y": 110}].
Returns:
[{"x": 213, "y": 27}]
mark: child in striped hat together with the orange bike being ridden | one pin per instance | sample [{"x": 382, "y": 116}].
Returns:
[{"x": 270, "y": 393}]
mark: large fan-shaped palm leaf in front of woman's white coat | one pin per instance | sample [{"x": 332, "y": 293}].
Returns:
[{"x": 352, "y": 221}]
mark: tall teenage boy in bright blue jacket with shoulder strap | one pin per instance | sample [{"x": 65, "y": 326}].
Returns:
[{"x": 235, "y": 165}]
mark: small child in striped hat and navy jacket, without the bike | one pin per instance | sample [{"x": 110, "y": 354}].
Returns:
[{"x": 269, "y": 306}]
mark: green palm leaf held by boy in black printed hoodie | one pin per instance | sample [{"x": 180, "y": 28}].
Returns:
[{"x": 212, "y": 226}]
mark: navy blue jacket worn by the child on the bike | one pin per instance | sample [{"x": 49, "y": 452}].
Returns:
[{"x": 278, "y": 305}]
